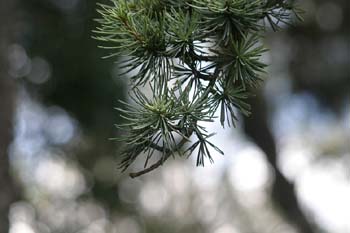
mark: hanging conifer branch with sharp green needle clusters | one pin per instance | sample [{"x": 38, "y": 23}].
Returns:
[{"x": 198, "y": 57}]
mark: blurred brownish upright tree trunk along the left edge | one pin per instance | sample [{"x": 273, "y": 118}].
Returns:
[{"x": 7, "y": 104}]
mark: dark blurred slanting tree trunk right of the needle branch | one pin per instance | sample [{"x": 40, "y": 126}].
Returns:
[{"x": 283, "y": 193}]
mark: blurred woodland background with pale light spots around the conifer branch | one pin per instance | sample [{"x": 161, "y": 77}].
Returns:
[{"x": 286, "y": 168}]
